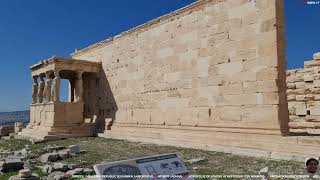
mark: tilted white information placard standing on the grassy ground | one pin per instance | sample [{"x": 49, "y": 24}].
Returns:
[{"x": 165, "y": 166}]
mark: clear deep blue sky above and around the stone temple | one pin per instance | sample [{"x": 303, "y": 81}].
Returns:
[{"x": 37, "y": 29}]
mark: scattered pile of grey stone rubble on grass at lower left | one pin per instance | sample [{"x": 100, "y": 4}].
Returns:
[{"x": 46, "y": 160}]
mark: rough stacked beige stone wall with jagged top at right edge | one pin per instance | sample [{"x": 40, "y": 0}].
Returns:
[{"x": 303, "y": 95}]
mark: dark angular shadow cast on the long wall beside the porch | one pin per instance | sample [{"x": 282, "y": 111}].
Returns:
[{"x": 106, "y": 104}]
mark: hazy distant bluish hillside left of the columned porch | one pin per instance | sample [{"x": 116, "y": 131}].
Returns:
[{"x": 9, "y": 118}]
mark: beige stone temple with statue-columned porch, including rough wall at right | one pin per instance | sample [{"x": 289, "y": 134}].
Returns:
[{"x": 211, "y": 75}]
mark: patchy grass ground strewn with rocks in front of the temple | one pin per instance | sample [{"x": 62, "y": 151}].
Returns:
[{"x": 76, "y": 156}]
